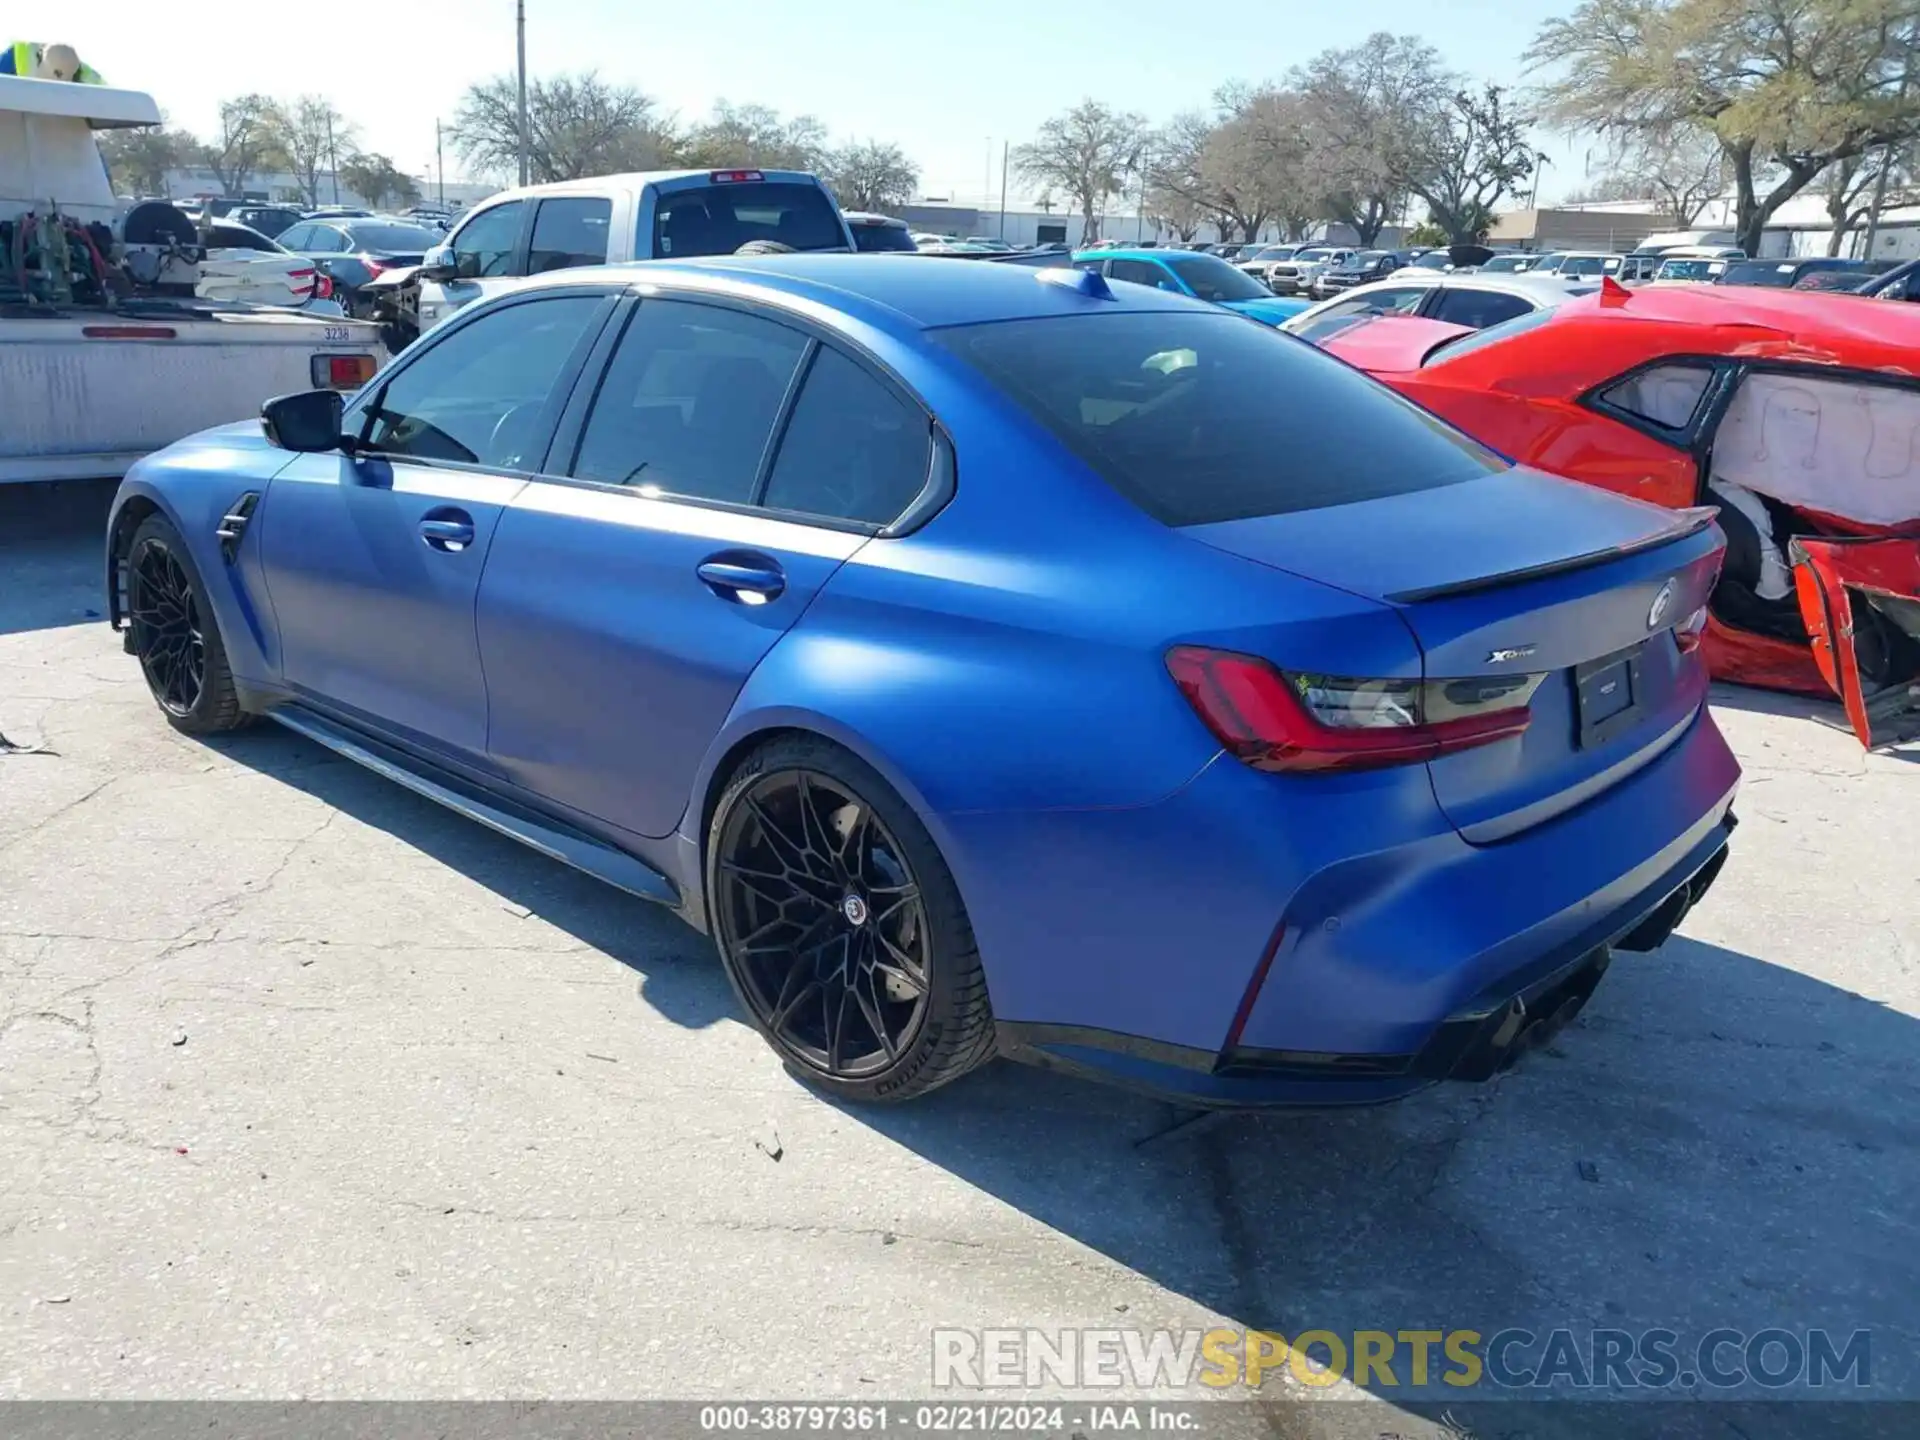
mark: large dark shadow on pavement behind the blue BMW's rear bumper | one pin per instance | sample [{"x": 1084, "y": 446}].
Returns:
[{"x": 1717, "y": 1143}]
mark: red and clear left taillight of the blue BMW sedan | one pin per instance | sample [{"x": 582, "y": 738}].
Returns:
[{"x": 1278, "y": 721}]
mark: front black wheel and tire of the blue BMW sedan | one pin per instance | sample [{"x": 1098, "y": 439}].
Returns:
[{"x": 176, "y": 635}]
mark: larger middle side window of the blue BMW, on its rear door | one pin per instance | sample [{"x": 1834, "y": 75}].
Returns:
[{"x": 690, "y": 402}]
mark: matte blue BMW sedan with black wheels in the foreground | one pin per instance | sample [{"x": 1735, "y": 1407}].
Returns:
[{"x": 992, "y": 660}]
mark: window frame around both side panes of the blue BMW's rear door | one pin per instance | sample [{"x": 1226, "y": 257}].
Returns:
[{"x": 569, "y": 435}]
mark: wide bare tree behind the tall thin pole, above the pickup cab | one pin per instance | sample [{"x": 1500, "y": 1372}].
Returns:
[{"x": 577, "y": 126}]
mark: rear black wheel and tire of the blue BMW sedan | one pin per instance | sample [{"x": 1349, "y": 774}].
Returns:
[{"x": 905, "y": 961}]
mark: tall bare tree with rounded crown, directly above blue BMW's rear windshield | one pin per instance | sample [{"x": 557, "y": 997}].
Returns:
[{"x": 1368, "y": 108}]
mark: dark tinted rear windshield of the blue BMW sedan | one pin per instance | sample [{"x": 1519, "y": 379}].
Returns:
[{"x": 1205, "y": 418}]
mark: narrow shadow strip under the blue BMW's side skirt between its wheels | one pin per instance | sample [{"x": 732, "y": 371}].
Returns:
[{"x": 681, "y": 976}]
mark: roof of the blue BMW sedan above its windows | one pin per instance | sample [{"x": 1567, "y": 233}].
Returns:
[{"x": 894, "y": 293}]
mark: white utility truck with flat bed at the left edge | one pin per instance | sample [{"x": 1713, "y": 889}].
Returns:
[{"x": 105, "y": 352}]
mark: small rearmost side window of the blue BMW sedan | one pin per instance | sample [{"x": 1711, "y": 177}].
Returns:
[{"x": 853, "y": 448}]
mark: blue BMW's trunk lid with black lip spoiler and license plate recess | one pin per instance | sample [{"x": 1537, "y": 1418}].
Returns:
[{"x": 1524, "y": 575}]
